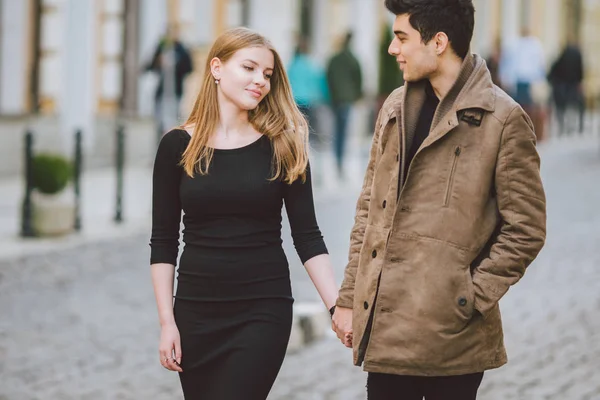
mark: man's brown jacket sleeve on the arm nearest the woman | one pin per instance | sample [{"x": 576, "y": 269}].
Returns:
[{"x": 346, "y": 293}]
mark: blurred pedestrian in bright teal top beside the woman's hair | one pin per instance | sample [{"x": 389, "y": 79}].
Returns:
[{"x": 309, "y": 87}]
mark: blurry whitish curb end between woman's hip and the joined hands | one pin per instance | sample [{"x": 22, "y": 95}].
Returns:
[{"x": 311, "y": 323}]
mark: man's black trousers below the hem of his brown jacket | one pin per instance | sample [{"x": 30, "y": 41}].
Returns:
[{"x": 403, "y": 387}]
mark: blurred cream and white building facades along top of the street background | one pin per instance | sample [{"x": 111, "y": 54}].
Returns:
[{"x": 68, "y": 64}]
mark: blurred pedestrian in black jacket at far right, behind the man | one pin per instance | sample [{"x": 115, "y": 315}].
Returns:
[{"x": 566, "y": 77}]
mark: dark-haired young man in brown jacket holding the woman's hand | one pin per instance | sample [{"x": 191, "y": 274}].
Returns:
[{"x": 451, "y": 213}]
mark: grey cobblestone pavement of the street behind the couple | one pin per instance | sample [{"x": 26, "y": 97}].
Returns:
[{"x": 81, "y": 323}]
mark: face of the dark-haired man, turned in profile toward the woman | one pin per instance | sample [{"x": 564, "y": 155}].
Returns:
[{"x": 417, "y": 60}]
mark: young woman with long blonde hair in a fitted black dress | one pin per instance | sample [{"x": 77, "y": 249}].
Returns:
[{"x": 241, "y": 154}]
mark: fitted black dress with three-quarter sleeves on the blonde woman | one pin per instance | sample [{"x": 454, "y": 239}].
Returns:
[{"x": 233, "y": 304}]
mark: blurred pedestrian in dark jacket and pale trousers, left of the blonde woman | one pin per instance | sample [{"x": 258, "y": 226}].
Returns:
[{"x": 172, "y": 62}]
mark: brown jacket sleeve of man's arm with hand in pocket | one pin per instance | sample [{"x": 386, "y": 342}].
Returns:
[{"x": 522, "y": 208}]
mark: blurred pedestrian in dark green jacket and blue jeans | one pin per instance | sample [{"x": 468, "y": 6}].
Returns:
[{"x": 344, "y": 78}]
